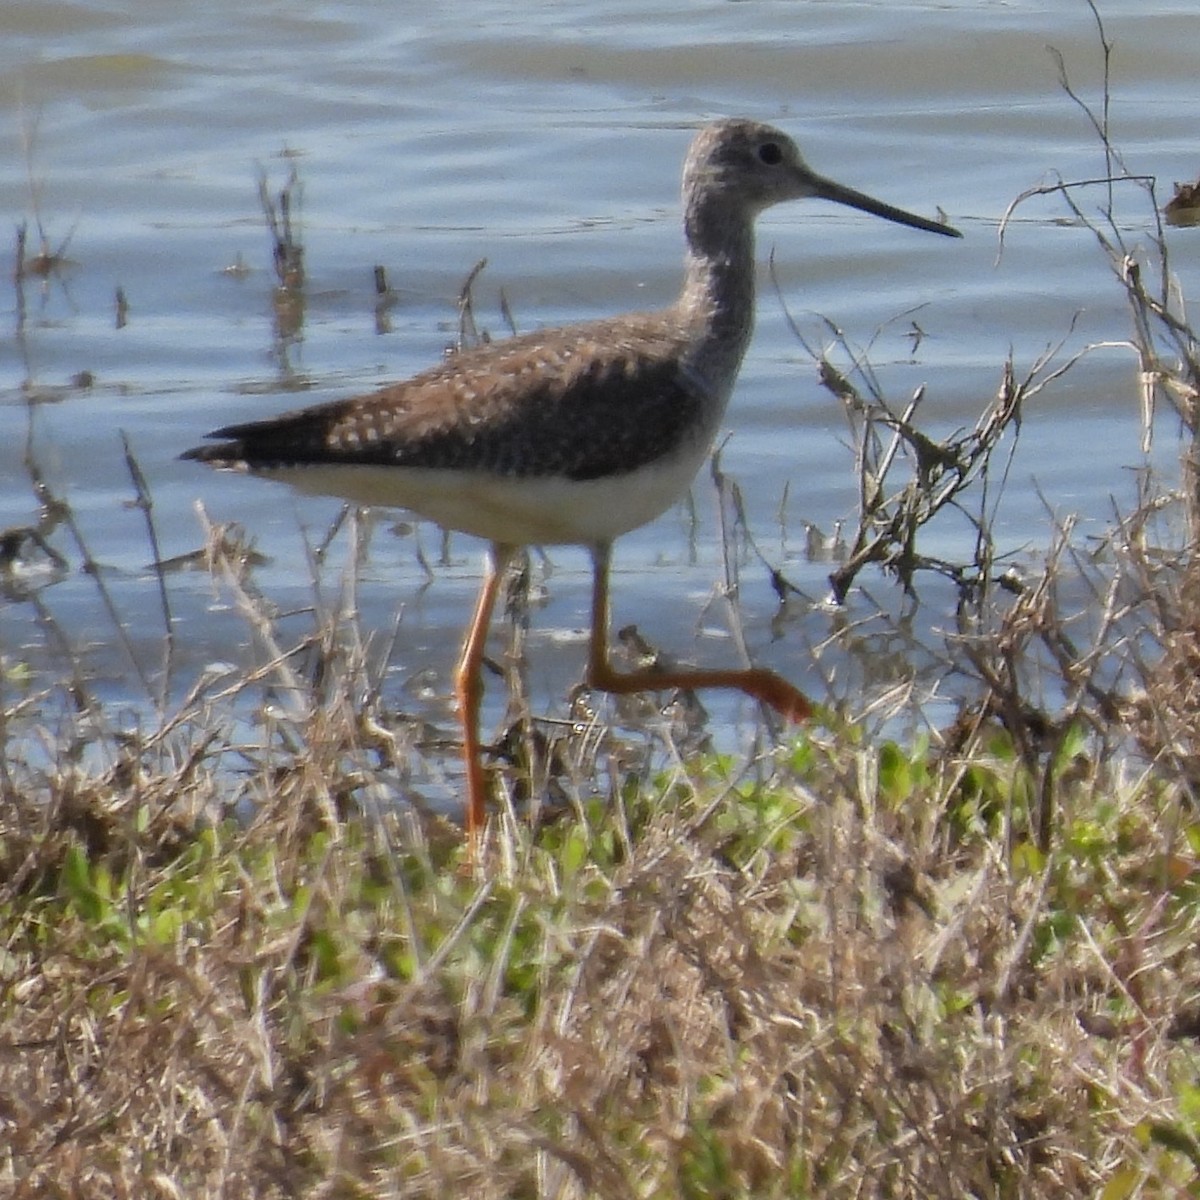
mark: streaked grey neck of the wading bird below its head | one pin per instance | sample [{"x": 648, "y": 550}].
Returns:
[{"x": 718, "y": 292}]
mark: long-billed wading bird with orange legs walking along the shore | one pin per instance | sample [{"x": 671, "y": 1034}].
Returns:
[{"x": 574, "y": 435}]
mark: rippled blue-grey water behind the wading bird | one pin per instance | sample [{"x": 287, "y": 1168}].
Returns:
[{"x": 548, "y": 139}]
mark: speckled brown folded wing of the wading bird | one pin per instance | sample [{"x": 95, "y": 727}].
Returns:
[{"x": 581, "y": 403}]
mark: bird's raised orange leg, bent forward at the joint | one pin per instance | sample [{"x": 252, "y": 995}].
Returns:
[{"x": 764, "y": 686}]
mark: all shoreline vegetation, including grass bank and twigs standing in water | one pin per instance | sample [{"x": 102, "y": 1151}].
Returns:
[{"x": 844, "y": 965}]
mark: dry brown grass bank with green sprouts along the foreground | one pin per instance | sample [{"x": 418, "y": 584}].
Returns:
[{"x": 861, "y": 977}]
